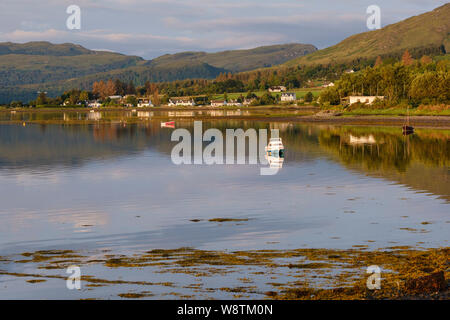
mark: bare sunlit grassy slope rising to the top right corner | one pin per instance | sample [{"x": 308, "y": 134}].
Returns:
[{"x": 427, "y": 31}]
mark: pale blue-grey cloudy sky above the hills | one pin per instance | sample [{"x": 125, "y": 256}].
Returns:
[{"x": 150, "y": 28}]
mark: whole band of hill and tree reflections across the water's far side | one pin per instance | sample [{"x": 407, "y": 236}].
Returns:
[{"x": 420, "y": 161}]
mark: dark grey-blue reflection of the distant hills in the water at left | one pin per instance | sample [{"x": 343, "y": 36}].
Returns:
[{"x": 40, "y": 145}]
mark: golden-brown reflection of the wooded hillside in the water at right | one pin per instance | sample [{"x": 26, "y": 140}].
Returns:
[{"x": 419, "y": 161}]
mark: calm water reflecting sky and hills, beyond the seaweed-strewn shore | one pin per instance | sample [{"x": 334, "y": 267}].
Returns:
[{"x": 113, "y": 186}]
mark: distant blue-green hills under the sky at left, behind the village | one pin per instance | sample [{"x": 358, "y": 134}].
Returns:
[{"x": 36, "y": 66}]
